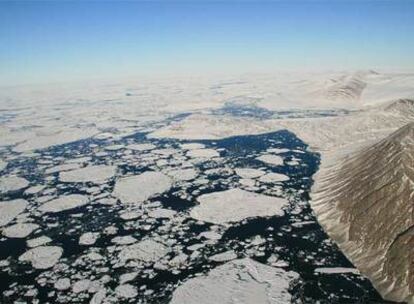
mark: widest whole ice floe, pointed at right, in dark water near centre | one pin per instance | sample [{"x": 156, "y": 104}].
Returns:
[{"x": 235, "y": 205}]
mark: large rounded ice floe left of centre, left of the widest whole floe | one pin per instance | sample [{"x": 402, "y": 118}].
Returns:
[{"x": 137, "y": 189}]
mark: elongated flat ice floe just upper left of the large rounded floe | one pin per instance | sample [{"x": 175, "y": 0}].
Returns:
[{"x": 95, "y": 174}]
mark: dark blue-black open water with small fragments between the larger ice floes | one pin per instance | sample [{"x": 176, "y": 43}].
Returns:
[{"x": 301, "y": 248}]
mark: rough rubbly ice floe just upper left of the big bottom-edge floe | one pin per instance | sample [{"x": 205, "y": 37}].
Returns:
[{"x": 146, "y": 251}]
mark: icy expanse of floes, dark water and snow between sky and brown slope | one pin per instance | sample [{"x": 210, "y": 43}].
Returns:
[{"x": 196, "y": 182}]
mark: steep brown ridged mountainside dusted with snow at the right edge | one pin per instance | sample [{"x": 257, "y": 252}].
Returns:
[{"x": 366, "y": 204}]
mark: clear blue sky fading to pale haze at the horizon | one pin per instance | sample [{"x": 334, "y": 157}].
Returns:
[{"x": 44, "y": 41}]
